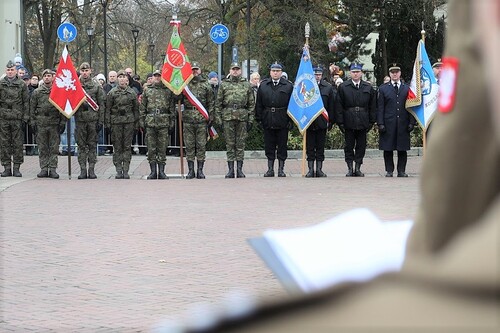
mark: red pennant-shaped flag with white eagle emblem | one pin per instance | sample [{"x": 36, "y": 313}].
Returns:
[{"x": 67, "y": 93}]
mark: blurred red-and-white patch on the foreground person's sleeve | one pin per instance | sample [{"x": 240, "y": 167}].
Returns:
[{"x": 448, "y": 84}]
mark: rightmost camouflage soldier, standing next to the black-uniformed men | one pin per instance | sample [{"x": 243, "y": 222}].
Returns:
[{"x": 235, "y": 114}]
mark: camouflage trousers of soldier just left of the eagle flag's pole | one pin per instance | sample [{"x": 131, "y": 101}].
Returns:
[{"x": 48, "y": 140}]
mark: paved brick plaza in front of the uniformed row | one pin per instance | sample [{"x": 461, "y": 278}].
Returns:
[{"x": 111, "y": 255}]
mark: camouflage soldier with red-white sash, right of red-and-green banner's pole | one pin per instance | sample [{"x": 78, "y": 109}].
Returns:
[{"x": 195, "y": 125}]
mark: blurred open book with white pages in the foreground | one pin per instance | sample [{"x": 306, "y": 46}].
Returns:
[{"x": 352, "y": 247}]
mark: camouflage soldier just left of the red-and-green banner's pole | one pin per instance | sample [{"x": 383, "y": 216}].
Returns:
[{"x": 157, "y": 116}]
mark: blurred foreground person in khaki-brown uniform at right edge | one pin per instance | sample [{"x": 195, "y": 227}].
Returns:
[{"x": 450, "y": 279}]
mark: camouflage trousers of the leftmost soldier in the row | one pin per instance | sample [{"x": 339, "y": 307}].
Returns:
[{"x": 11, "y": 142}]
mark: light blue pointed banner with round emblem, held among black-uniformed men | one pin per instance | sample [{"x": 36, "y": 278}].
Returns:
[{"x": 306, "y": 103}]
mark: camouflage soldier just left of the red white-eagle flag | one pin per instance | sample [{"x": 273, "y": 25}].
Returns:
[{"x": 48, "y": 123}]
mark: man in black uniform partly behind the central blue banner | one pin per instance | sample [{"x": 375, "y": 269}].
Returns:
[{"x": 316, "y": 132}]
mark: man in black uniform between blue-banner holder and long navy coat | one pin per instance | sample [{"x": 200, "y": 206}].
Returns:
[{"x": 355, "y": 109}]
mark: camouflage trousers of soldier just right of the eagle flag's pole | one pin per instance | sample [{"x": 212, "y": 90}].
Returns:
[{"x": 86, "y": 139}]
